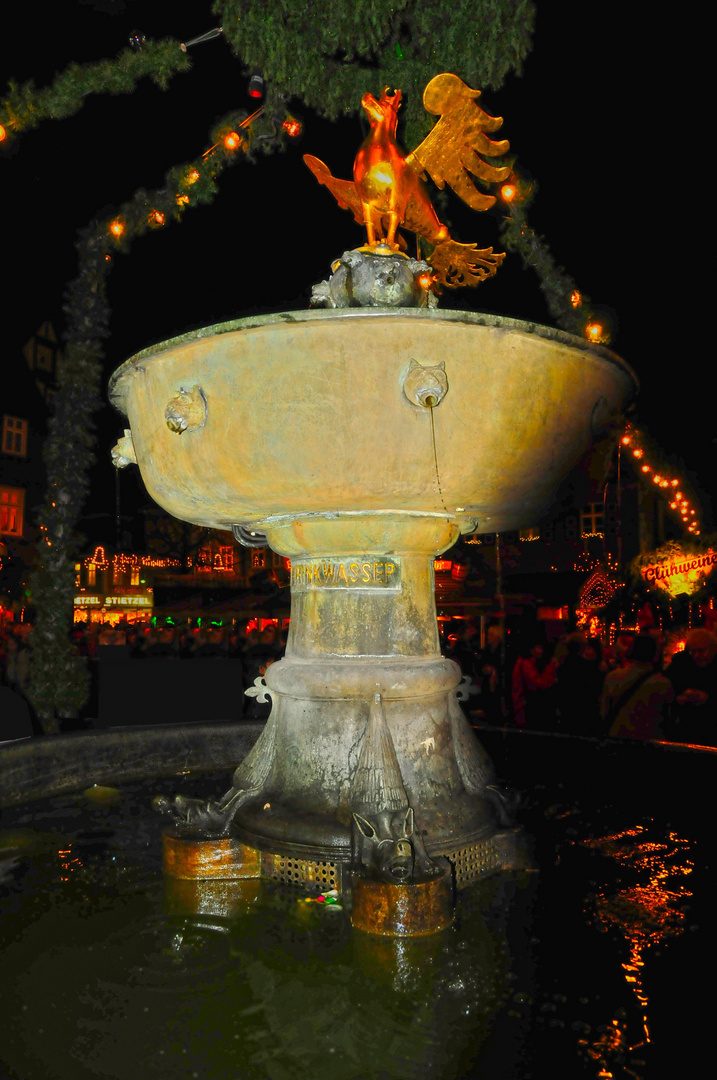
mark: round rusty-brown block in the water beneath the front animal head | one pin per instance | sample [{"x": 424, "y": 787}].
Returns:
[{"x": 399, "y": 911}]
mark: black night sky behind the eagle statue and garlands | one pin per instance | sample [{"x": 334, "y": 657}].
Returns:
[{"x": 593, "y": 120}]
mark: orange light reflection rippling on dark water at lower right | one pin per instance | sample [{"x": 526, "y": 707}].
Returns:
[{"x": 647, "y": 913}]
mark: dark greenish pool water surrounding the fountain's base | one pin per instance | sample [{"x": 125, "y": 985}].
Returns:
[{"x": 587, "y": 969}]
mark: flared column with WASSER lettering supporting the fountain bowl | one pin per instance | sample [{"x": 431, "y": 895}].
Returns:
[{"x": 364, "y": 624}]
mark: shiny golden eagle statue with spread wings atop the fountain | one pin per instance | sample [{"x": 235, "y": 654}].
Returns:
[{"x": 388, "y": 188}]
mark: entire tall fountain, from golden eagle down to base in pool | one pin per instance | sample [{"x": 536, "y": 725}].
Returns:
[{"x": 360, "y": 443}]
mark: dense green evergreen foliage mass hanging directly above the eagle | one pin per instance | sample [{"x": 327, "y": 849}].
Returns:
[{"x": 329, "y": 53}]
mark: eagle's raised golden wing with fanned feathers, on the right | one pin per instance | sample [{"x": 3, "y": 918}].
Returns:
[{"x": 457, "y": 145}]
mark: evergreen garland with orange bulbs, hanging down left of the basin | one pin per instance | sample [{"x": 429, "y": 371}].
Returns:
[{"x": 59, "y": 683}]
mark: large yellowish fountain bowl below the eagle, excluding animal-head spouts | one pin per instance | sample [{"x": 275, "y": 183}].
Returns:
[{"x": 306, "y": 414}]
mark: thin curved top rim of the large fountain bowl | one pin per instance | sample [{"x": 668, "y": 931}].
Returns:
[{"x": 116, "y": 386}]
